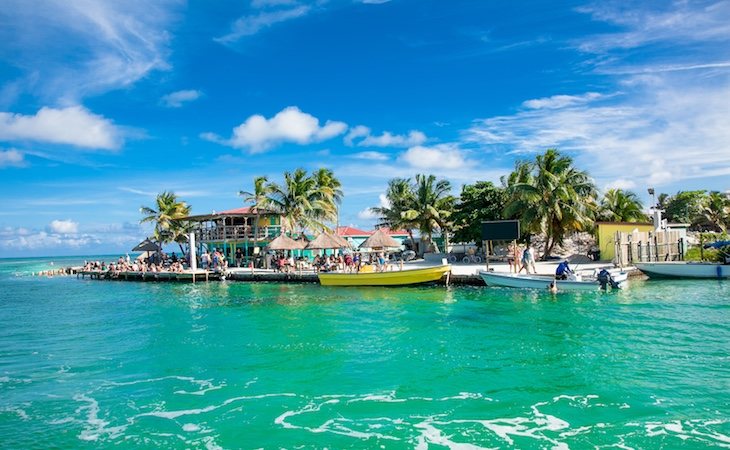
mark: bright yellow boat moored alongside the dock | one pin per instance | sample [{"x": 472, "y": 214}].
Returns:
[{"x": 395, "y": 278}]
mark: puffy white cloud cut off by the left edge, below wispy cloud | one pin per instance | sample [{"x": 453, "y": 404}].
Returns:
[{"x": 74, "y": 125}]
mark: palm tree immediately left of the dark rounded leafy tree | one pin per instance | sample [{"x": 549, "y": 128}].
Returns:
[{"x": 430, "y": 208}]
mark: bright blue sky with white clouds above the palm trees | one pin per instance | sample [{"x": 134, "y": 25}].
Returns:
[{"x": 104, "y": 104}]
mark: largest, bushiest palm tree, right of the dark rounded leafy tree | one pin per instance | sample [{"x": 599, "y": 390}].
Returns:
[{"x": 554, "y": 199}]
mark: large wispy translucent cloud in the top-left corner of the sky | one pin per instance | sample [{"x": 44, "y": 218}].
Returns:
[{"x": 73, "y": 49}]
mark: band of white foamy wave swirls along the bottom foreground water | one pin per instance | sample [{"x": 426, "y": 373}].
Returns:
[{"x": 463, "y": 420}]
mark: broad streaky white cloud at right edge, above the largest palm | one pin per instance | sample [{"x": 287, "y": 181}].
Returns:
[{"x": 664, "y": 131}]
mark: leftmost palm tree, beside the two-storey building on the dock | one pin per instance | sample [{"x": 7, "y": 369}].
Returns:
[{"x": 166, "y": 215}]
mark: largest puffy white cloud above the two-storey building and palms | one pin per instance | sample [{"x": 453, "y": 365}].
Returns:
[{"x": 259, "y": 134}]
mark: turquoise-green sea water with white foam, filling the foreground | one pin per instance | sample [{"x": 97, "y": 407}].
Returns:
[{"x": 99, "y": 364}]
